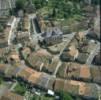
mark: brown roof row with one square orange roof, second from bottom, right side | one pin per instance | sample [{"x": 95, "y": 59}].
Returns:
[{"x": 81, "y": 72}]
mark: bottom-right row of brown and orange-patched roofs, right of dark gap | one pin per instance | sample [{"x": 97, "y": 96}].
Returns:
[{"x": 85, "y": 90}]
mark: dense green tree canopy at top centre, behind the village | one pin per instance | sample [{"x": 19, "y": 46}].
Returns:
[{"x": 61, "y": 8}]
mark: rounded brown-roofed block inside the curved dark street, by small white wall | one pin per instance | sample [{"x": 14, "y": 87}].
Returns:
[{"x": 39, "y": 59}]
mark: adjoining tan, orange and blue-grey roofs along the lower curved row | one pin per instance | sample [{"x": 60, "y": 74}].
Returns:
[{"x": 41, "y": 80}]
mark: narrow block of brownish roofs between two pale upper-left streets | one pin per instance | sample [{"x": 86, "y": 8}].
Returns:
[{"x": 23, "y": 30}]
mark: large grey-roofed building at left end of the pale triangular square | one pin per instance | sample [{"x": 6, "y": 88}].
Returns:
[{"x": 51, "y": 36}]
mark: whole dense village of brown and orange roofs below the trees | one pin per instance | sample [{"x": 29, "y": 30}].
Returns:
[{"x": 41, "y": 57}]
